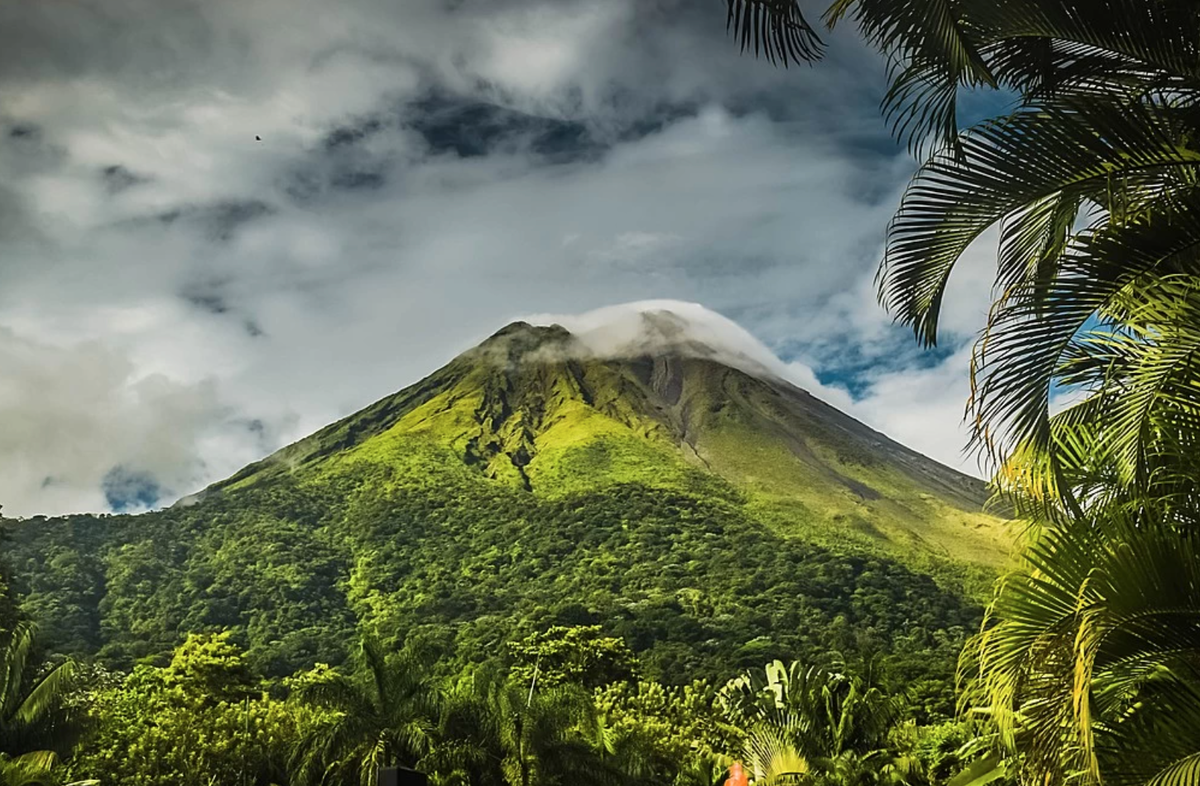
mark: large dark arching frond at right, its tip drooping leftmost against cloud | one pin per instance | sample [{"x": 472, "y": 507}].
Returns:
[{"x": 1005, "y": 166}]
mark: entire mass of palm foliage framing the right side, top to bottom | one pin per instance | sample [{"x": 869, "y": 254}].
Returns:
[{"x": 1090, "y": 664}]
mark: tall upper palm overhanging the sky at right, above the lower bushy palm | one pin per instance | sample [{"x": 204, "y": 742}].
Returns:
[{"x": 1094, "y": 183}]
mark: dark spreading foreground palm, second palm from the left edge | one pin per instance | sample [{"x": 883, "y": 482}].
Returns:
[{"x": 382, "y": 717}]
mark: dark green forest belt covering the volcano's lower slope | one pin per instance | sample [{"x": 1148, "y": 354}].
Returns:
[{"x": 475, "y": 572}]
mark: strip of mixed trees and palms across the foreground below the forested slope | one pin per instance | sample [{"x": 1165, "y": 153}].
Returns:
[{"x": 207, "y": 717}]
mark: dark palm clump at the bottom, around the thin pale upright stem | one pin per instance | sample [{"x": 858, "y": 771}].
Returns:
[{"x": 503, "y": 734}]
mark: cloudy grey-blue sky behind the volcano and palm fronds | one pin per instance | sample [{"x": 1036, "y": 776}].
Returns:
[{"x": 179, "y": 298}]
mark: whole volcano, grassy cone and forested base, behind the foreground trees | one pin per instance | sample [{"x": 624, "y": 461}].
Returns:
[{"x": 713, "y": 518}]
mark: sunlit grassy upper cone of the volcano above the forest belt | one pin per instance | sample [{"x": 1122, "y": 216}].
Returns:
[{"x": 529, "y": 410}]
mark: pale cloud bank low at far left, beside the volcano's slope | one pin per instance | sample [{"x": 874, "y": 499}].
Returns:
[{"x": 77, "y": 417}]
